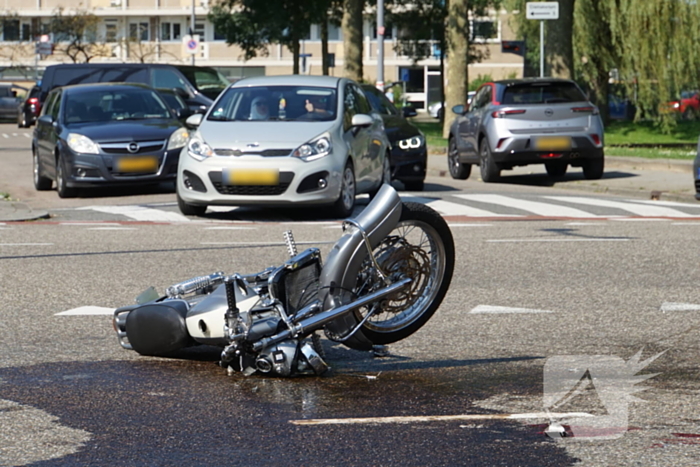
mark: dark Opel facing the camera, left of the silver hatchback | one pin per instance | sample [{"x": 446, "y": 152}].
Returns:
[{"x": 105, "y": 134}]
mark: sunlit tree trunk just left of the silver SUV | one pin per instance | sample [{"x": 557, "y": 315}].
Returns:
[{"x": 457, "y": 35}]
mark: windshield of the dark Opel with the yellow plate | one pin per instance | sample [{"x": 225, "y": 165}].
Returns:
[{"x": 102, "y": 105}]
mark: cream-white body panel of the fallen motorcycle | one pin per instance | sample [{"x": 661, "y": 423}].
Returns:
[{"x": 205, "y": 321}]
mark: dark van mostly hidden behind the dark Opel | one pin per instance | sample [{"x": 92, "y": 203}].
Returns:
[{"x": 198, "y": 85}]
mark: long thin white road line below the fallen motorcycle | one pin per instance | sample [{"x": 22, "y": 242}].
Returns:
[{"x": 438, "y": 418}]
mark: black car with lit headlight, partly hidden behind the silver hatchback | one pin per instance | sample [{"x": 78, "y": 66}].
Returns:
[{"x": 409, "y": 153}]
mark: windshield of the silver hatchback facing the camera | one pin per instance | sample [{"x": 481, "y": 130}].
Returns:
[{"x": 276, "y": 103}]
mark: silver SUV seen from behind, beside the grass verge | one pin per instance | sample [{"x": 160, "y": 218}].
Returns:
[{"x": 526, "y": 121}]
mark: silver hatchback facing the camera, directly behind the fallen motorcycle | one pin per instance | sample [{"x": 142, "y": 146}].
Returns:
[{"x": 282, "y": 141}]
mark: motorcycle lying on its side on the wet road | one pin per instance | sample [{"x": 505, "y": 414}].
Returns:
[{"x": 381, "y": 282}]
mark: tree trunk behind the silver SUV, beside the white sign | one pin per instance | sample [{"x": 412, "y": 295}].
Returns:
[{"x": 559, "y": 43}]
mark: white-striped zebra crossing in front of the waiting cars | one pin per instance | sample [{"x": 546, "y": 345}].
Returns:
[{"x": 455, "y": 207}]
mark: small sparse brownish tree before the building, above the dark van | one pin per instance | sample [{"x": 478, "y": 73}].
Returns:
[{"x": 75, "y": 35}]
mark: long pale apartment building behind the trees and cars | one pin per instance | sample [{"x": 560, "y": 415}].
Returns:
[{"x": 153, "y": 31}]
